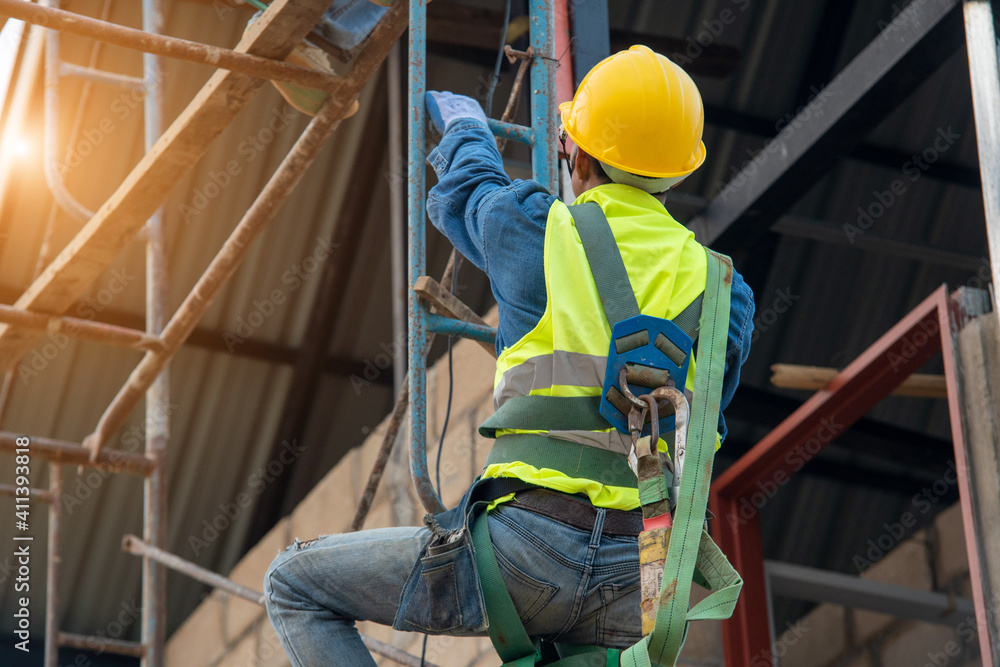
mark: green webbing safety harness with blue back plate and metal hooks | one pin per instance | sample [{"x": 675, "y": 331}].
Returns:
[{"x": 646, "y": 352}]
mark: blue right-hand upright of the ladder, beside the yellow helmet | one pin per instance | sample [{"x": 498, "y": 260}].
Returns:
[{"x": 543, "y": 80}]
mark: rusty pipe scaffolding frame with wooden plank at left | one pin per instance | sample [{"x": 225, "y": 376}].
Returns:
[{"x": 241, "y": 71}]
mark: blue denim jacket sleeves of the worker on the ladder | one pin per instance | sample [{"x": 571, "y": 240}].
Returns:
[{"x": 499, "y": 225}]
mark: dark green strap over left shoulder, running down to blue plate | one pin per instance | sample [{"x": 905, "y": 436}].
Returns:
[{"x": 606, "y": 262}]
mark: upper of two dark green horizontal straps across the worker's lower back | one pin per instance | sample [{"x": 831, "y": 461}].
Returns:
[{"x": 547, "y": 413}]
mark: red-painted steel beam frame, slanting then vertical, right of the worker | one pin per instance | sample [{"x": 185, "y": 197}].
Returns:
[{"x": 741, "y": 491}]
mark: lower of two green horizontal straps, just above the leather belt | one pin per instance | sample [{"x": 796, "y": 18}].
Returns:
[{"x": 570, "y": 458}]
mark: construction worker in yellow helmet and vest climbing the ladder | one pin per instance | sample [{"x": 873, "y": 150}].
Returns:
[{"x": 566, "y": 547}]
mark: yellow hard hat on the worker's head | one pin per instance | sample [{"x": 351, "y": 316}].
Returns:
[{"x": 638, "y": 111}]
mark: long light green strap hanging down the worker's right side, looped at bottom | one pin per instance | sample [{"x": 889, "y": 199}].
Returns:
[{"x": 689, "y": 546}]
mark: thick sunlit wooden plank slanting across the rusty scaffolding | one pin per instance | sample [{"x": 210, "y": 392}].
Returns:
[{"x": 81, "y": 262}]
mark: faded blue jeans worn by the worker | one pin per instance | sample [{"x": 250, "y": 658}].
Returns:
[{"x": 568, "y": 585}]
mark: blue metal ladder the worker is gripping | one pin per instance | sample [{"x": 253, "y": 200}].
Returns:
[{"x": 540, "y": 136}]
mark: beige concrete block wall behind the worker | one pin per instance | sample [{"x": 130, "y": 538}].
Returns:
[{"x": 227, "y": 631}]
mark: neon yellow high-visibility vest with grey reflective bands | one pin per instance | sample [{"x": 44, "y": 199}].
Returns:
[{"x": 566, "y": 353}]
